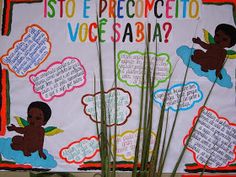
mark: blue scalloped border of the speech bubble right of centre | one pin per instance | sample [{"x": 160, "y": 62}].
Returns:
[{"x": 176, "y": 86}]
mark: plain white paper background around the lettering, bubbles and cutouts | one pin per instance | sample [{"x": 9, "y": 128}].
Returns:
[{"x": 67, "y": 111}]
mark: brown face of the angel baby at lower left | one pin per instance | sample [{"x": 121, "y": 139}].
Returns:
[{"x": 35, "y": 117}]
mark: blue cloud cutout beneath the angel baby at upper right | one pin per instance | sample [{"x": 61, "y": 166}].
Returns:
[{"x": 184, "y": 52}]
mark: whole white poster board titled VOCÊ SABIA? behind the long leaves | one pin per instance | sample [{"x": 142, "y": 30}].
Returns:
[{"x": 50, "y": 69}]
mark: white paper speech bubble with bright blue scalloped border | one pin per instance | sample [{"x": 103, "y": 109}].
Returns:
[{"x": 191, "y": 94}]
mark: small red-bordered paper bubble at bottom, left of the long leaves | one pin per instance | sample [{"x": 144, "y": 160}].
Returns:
[{"x": 79, "y": 151}]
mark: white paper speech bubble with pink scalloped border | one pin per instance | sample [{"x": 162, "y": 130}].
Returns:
[{"x": 59, "y": 78}]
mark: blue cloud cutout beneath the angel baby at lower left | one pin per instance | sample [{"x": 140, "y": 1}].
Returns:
[{"x": 8, "y": 153}]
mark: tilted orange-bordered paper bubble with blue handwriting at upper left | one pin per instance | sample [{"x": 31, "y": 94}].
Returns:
[{"x": 29, "y": 52}]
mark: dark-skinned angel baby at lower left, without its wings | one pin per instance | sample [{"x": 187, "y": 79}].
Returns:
[{"x": 33, "y": 134}]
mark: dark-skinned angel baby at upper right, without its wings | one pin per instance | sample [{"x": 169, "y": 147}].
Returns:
[{"x": 214, "y": 56}]
